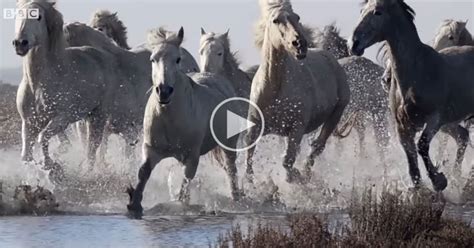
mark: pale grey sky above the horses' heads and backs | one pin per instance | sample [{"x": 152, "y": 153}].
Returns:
[{"x": 237, "y": 15}]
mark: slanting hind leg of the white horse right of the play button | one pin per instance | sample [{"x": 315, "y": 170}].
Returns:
[{"x": 318, "y": 145}]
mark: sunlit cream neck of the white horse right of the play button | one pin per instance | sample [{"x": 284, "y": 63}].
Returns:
[{"x": 273, "y": 68}]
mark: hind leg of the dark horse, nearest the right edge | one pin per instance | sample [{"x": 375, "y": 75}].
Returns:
[{"x": 461, "y": 135}]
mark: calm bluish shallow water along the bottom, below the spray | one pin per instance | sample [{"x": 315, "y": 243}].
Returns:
[{"x": 116, "y": 230}]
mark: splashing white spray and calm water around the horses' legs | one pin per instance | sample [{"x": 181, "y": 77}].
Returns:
[{"x": 92, "y": 202}]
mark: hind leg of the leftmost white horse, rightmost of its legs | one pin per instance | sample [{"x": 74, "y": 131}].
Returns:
[{"x": 96, "y": 124}]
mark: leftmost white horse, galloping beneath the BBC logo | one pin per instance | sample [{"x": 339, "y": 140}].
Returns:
[{"x": 60, "y": 85}]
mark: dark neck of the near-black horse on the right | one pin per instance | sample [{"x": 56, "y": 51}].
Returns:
[{"x": 404, "y": 44}]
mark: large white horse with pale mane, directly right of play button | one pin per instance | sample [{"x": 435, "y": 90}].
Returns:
[{"x": 297, "y": 89}]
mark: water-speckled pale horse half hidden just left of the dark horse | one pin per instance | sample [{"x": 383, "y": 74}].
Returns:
[{"x": 368, "y": 97}]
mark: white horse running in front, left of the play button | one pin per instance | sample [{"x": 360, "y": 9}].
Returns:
[{"x": 177, "y": 117}]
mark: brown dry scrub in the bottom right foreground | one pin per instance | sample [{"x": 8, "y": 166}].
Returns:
[{"x": 391, "y": 220}]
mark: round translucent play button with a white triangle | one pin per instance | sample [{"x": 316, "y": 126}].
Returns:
[{"x": 229, "y": 121}]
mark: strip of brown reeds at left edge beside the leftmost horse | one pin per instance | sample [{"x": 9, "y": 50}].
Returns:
[{"x": 10, "y": 121}]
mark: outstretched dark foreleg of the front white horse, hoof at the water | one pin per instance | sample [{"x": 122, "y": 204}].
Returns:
[{"x": 151, "y": 158}]
